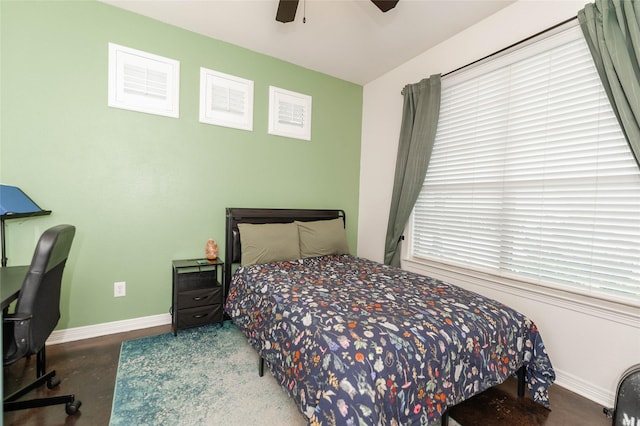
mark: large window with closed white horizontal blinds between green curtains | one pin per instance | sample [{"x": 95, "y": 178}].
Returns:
[{"x": 531, "y": 177}]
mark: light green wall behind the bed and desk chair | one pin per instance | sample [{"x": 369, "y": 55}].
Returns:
[{"x": 144, "y": 189}]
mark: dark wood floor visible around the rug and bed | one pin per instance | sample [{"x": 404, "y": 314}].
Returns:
[{"x": 88, "y": 369}]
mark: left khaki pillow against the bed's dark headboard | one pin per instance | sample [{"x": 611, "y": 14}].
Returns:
[{"x": 270, "y": 242}]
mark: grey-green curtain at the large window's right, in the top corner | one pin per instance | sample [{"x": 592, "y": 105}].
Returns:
[{"x": 612, "y": 31}]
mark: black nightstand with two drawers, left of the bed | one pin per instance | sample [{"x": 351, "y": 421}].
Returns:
[{"x": 197, "y": 293}]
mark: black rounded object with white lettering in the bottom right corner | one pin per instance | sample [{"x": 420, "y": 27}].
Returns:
[{"x": 627, "y": 409}]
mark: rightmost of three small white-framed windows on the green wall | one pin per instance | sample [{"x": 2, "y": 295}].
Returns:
[{"x": 289, "y": 113}]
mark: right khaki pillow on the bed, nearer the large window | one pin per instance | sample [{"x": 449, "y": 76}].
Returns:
[{"x": 322, "y": 237}]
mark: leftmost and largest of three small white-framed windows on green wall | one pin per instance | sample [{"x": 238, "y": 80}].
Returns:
[{"x": 143, "y": 82}]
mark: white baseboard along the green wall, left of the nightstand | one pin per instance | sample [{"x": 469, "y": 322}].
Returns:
[{"x": 97, "y": 330}]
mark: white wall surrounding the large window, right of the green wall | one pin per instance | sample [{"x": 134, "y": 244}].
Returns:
[{"x": 590, "y": 343}]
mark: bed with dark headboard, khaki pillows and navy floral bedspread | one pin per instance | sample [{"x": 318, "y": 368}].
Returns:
[{"x": 354, "y": 341}]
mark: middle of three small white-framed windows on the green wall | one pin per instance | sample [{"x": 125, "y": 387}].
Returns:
[{"x": 226, "y": 100}]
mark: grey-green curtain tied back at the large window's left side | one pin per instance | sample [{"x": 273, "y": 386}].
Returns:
[{"x": 417, "y": 134}]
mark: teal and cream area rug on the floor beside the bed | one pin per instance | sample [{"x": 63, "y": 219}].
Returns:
[{"x": 203, "y": 376}]
